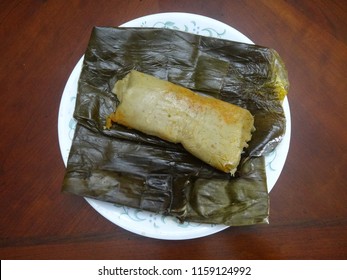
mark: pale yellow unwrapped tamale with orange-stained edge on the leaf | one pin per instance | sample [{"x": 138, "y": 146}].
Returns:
[{"x": 212, "y": 130}]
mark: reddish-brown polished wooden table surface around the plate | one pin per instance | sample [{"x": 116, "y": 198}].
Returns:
[{"x": 41, "y": 41}]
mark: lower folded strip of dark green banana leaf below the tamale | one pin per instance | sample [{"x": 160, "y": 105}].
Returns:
[{"x": 166, "y": 181}]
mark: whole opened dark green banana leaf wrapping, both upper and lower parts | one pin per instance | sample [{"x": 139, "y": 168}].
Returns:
[{"x": 126, "y": 167}]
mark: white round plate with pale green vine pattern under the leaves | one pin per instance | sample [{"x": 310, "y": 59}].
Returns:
[{"x": 142, "y": 222}]
